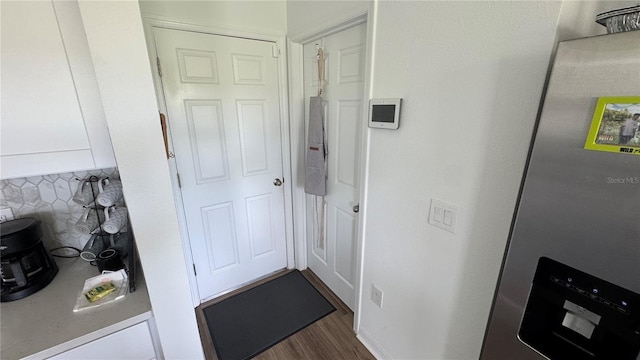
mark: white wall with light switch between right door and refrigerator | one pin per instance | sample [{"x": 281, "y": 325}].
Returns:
[{"x": 471, "y": 75}]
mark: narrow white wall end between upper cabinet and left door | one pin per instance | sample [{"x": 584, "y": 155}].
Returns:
[{"x": 116, "y": 41}]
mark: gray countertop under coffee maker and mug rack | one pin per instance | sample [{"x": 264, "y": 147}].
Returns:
[{"x": 44, "y": 323}]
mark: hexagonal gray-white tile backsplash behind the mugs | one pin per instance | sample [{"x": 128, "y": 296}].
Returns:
[{"x": 49, "y": 199}]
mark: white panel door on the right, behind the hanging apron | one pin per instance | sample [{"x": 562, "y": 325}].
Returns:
[{"x": 331, "y": 243}]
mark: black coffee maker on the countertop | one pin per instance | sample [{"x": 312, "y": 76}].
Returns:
[{"x": 26, "y": 266}]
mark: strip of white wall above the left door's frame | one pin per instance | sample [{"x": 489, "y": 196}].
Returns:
[{"x": 264, "y": 17}]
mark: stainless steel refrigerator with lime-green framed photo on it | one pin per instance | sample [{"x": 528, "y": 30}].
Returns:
[{"x": 570, "y": 283}]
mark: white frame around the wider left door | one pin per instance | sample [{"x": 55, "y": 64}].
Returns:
[{"x": 151, "y": 22}]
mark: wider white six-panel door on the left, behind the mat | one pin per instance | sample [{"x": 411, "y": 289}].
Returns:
[{"x": 223, "y": 109}]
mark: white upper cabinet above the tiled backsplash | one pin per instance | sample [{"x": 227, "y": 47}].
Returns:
[{"x": 51, "y": 119}]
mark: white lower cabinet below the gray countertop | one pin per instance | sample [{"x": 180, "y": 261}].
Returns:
[{"x": 131, "y": 343}]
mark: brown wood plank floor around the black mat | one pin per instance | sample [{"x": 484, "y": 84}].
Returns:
[{"x": 329, "y": 338}]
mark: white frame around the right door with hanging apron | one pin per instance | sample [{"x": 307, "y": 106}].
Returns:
[{"x": 295, "y": 47}]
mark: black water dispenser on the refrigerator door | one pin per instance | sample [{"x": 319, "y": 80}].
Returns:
[{"x": 574, "y": 315}]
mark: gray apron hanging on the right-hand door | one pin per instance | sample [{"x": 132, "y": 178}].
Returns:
[{"x": 315, "y": 175}]
